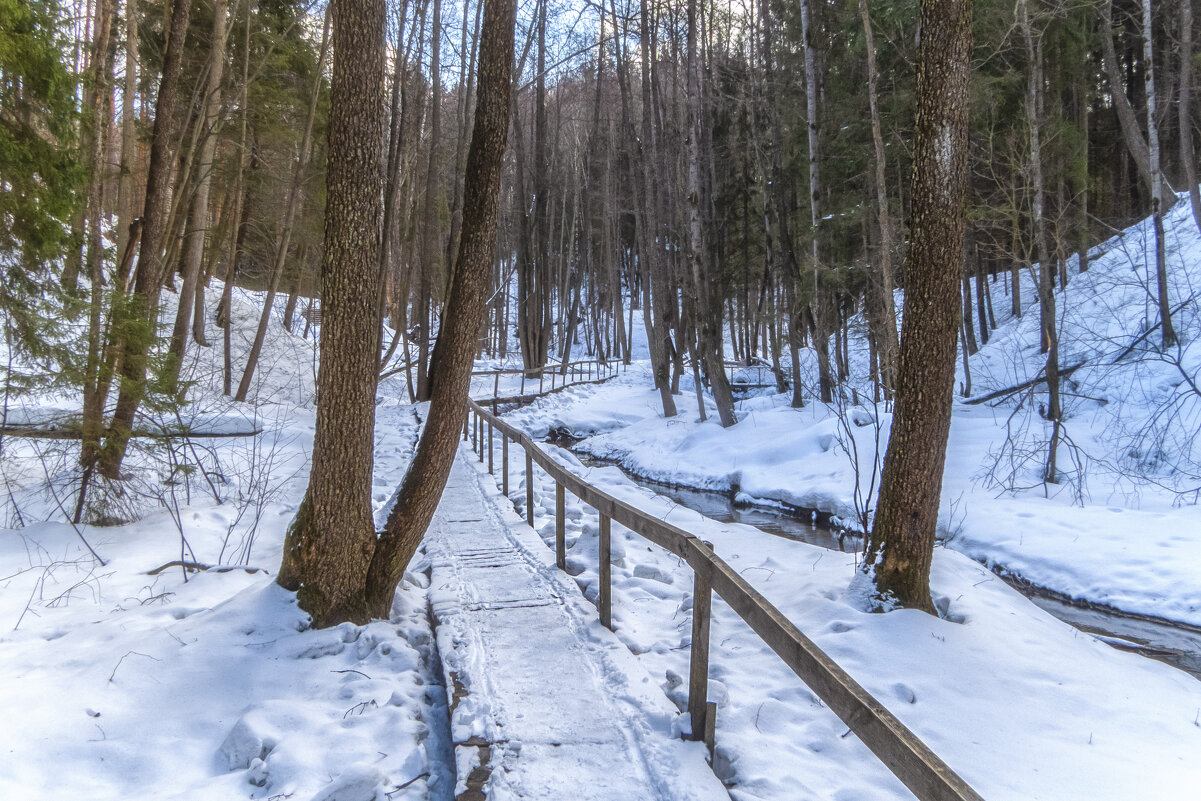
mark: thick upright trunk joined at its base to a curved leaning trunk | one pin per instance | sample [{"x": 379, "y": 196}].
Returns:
[{"x": 330, "y": 543}]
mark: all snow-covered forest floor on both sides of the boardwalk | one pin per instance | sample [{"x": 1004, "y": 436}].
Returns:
[{"x": 123, "y": 682}]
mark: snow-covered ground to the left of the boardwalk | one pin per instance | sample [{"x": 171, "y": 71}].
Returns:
[{"x": 121, "y": 680}]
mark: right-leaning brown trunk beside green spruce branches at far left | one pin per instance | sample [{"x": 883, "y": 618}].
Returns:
[{"x": 136, "y": 327}]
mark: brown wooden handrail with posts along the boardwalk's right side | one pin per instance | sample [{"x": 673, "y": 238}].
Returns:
[{"x": 918, "y": 768}]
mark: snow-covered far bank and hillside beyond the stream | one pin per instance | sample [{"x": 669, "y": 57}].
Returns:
[{"x": 1121, "y": 529}]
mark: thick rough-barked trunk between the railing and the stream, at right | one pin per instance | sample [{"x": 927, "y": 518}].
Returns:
[{"x": 903, "y": 541}]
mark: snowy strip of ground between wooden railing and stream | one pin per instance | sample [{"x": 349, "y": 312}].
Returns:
[{"x": 1021, "y": 706}]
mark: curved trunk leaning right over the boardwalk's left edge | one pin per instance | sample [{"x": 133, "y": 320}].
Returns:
[{"x": 427, "y": 475}]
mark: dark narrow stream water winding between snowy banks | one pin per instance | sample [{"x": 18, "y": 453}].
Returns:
[{"x": 1179, "y": 645}]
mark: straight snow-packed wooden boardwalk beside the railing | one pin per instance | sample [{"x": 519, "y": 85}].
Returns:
[{"x": 548, "y": 704}]
